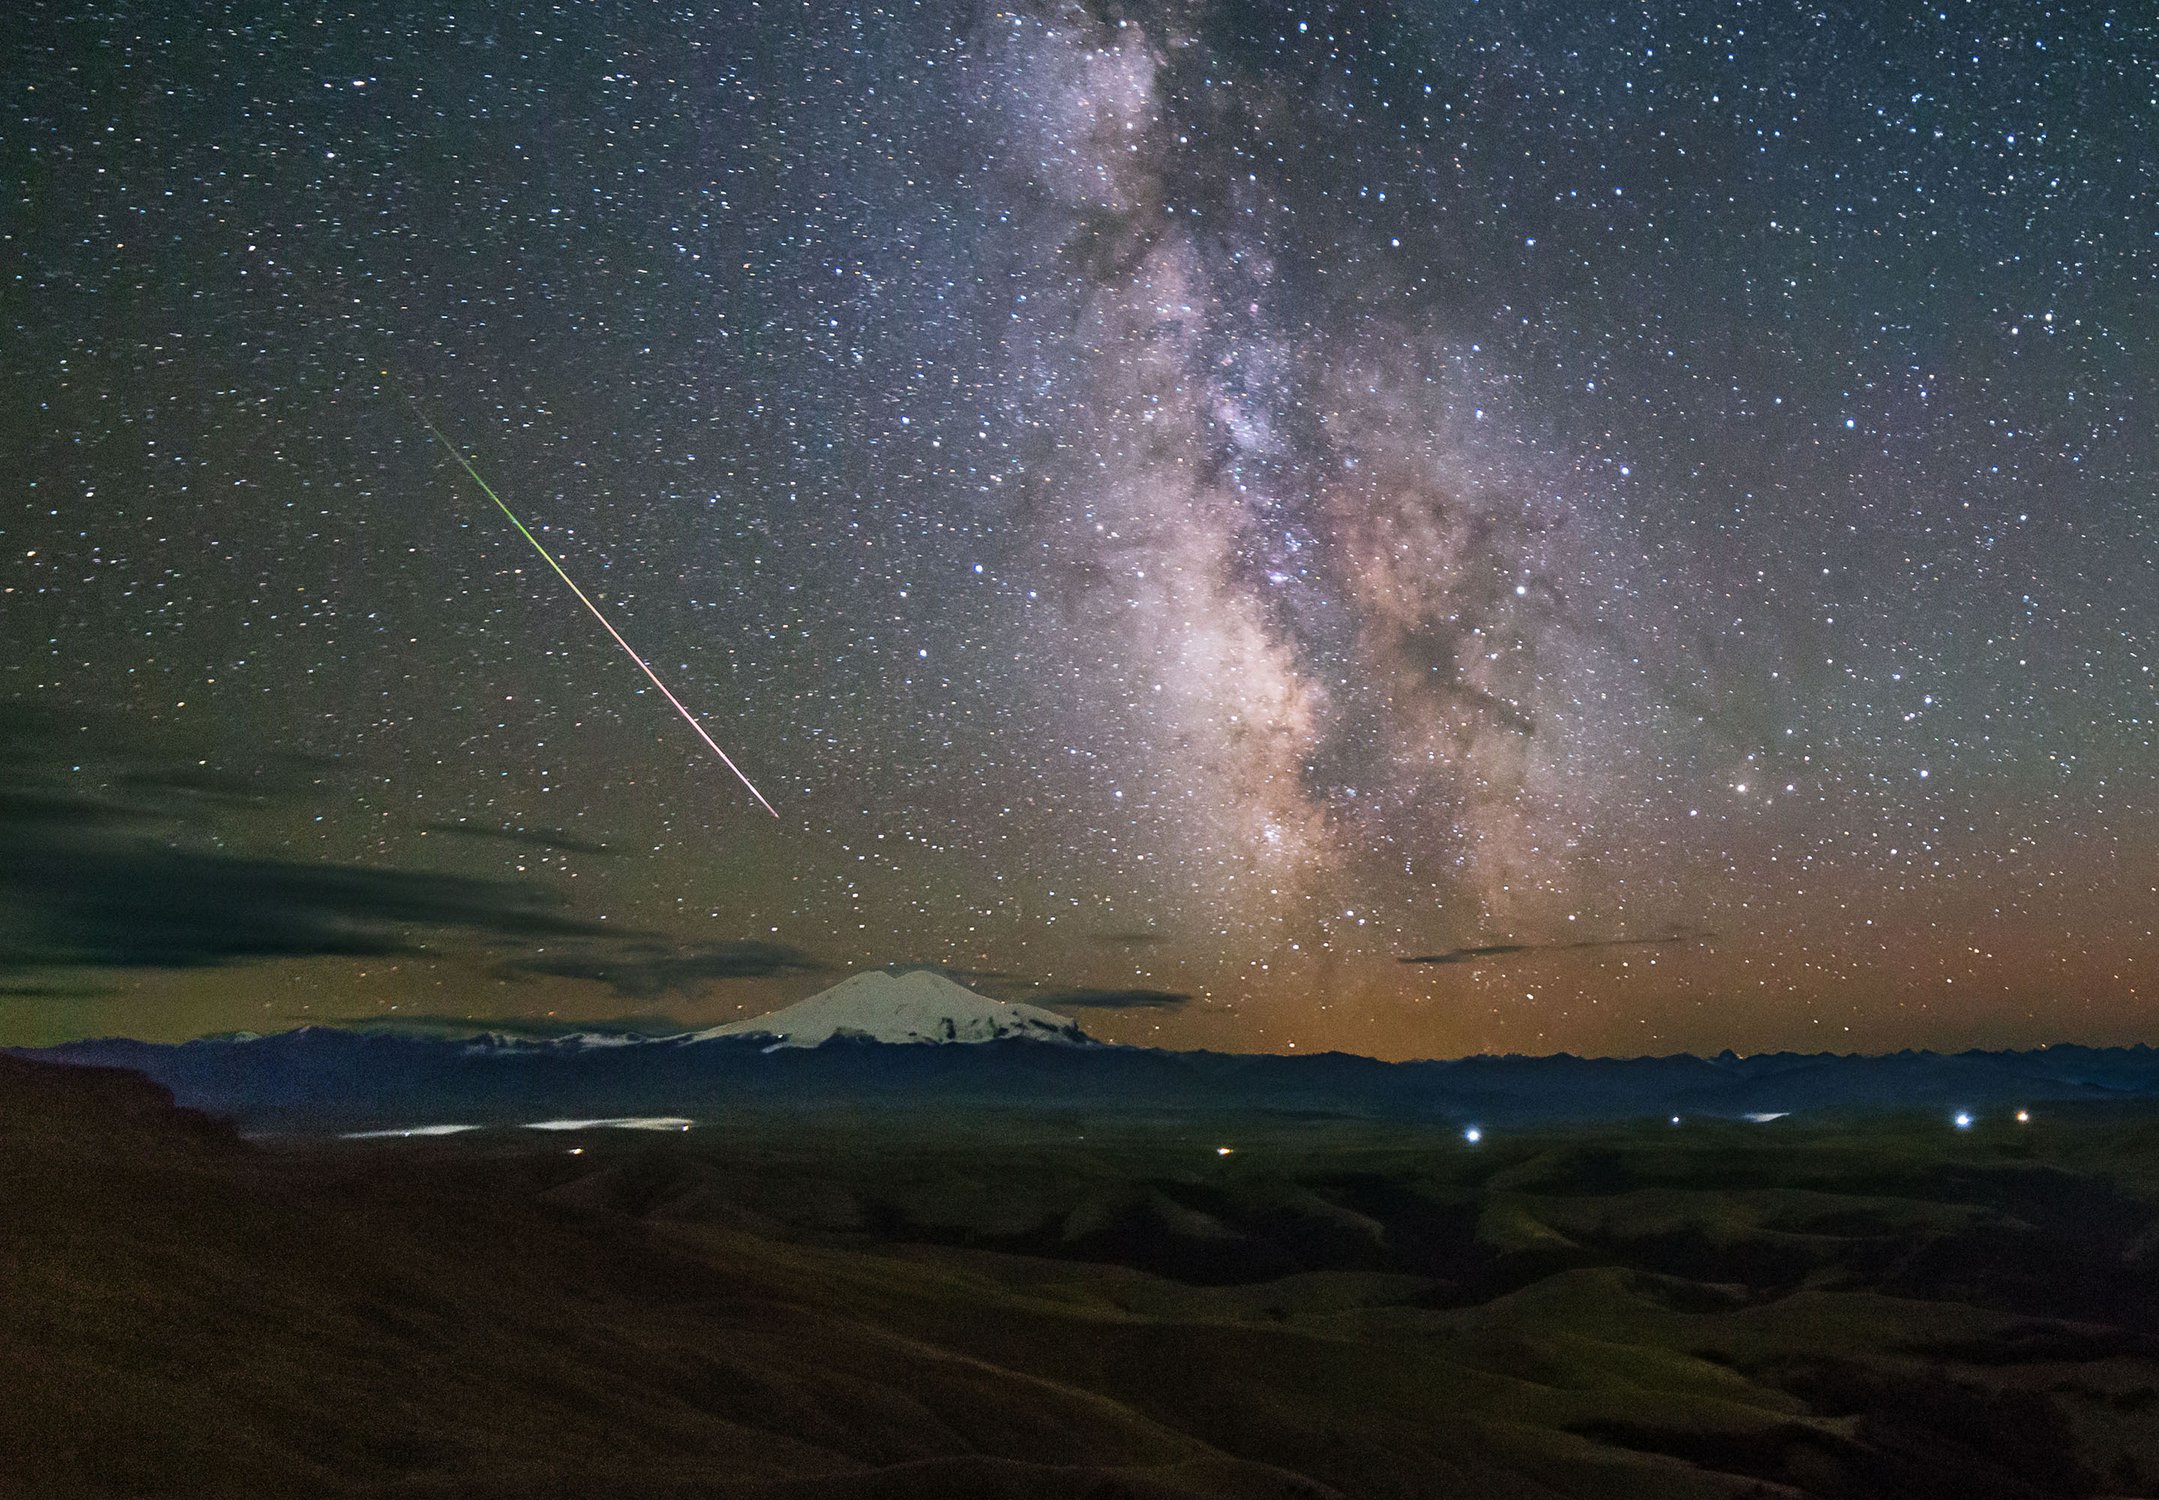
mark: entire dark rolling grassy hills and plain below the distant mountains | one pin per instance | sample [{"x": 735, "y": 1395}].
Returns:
[{"x": 1074, "y": 1307}]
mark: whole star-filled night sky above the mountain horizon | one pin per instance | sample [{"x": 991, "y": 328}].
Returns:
[{"x": 1411, "y": 530}]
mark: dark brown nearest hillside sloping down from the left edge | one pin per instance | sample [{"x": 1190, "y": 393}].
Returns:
[{"x": 189, "y": 1315}]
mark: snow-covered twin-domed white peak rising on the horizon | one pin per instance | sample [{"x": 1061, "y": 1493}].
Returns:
[{"x": 919, "y": 1007}]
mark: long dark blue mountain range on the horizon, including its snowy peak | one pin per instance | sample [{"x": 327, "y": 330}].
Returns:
[{"x": 923, "y": 1044}]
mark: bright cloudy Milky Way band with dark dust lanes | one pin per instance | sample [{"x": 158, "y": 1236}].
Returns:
[{"x": 1325, "y": 638}]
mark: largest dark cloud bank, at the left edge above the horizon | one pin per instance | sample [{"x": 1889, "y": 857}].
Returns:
[{"x": 90, "y": 882}]
